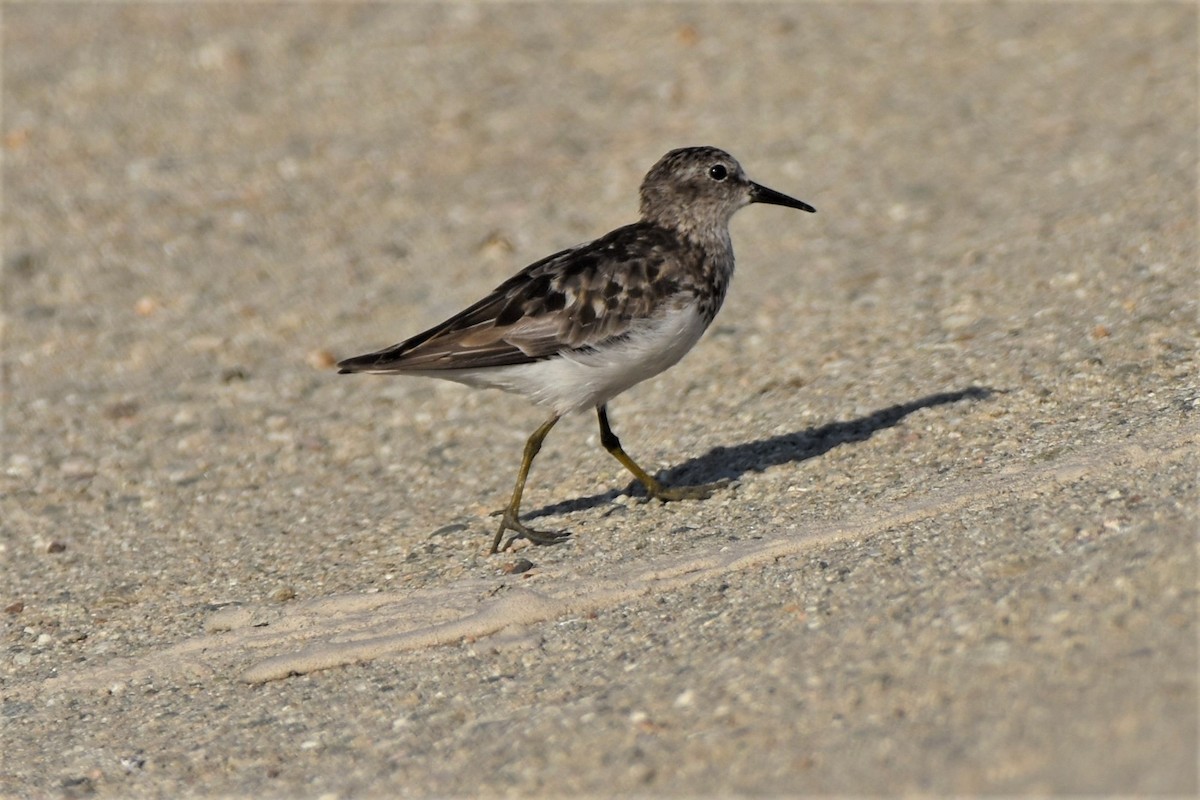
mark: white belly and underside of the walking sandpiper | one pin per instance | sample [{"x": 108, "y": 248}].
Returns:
[{"x": 583, "y": 381}]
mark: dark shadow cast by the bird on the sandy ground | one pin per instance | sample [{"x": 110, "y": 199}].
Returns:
[{"x": 730, "y": 464}]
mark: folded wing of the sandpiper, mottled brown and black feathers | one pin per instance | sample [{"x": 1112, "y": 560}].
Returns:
[{"x": 573, "y": 300}]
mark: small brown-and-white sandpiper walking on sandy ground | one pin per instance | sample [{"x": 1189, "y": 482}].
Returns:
[{"x": 578, "y": 328}]
